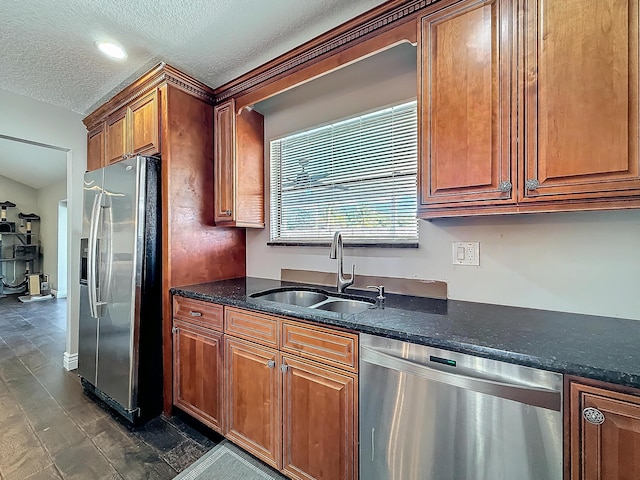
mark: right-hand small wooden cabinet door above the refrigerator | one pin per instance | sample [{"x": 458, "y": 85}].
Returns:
[{"x": 143, "y": 120}]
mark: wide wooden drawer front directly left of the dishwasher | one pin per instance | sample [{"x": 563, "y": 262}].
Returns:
[{"x": 321, "y": 344}]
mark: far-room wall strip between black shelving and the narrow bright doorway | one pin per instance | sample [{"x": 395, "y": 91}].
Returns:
[{"x": 48, "y": 200}]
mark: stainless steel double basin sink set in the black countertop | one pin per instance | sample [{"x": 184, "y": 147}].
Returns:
[{"x": 316, "y": 299}]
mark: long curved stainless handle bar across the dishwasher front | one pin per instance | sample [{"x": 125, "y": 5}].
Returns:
[{"x": 537, "y": 397}]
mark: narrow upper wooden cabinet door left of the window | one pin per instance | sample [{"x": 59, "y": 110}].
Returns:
[{"x": 224, "y": 162}]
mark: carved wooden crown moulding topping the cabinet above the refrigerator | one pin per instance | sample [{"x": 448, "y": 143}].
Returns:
[{"x": 158, "y": 75}]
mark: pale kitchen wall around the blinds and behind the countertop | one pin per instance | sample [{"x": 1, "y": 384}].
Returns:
[{"x": 582, "y": 262}]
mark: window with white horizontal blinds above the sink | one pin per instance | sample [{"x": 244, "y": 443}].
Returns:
[{"x": 357, "y": 175}]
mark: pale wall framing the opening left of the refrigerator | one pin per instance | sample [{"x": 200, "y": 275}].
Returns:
[{"x": 28, "y": 119}]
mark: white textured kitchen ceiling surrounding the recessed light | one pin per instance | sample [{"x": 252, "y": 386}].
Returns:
[{"x": 48, "y": 48}]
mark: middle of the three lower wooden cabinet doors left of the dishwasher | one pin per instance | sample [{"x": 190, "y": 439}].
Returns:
[{"x": 253, "y": 390}]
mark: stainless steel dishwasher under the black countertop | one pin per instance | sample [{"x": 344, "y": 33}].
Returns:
[{"x": 430, "y": 414}]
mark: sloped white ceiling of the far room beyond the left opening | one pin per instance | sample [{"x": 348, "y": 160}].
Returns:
[{"x": 31, "y": 164}]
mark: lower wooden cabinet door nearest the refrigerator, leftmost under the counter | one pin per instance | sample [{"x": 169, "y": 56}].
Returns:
[{"x": 198, "y": 372}]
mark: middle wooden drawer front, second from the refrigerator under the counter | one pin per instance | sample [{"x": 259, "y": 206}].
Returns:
[{"x": 251, "y": 326}]
